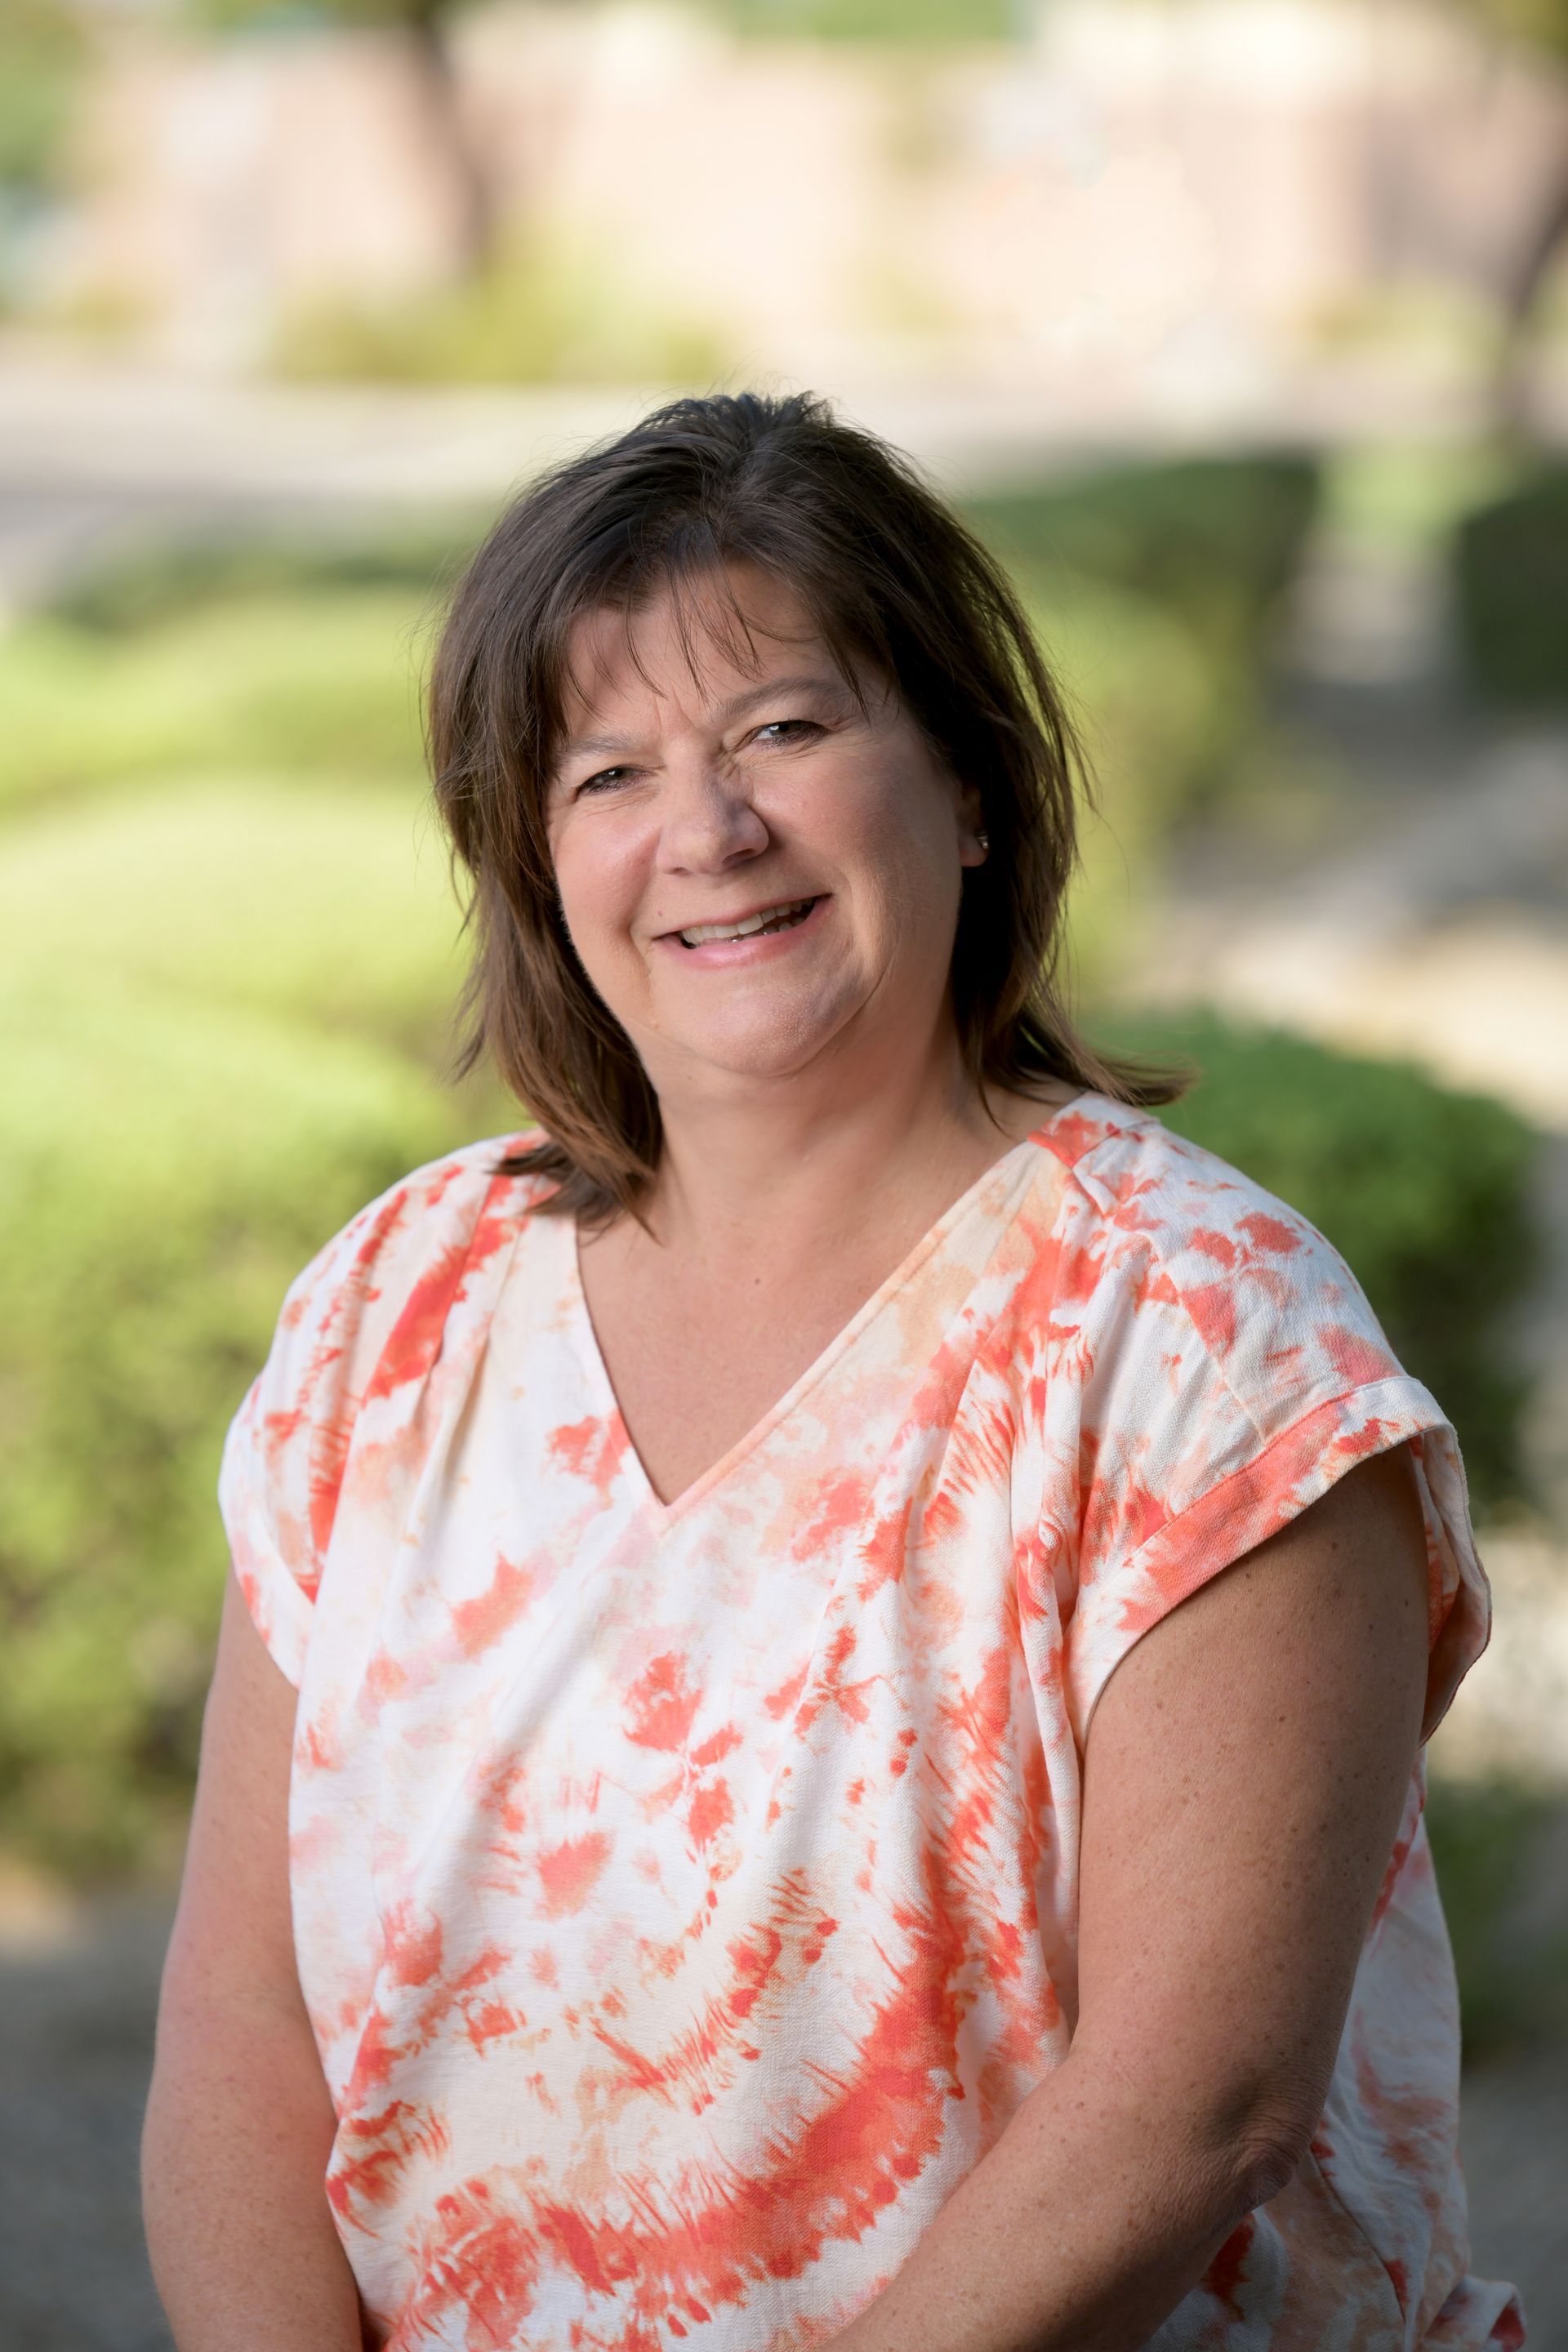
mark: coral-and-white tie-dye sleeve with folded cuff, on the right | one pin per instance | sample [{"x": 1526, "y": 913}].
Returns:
[{"x": 1233, "y": 1375}]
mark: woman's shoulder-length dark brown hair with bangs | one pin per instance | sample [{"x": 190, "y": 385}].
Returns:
[{"x": 894, "y": 584}]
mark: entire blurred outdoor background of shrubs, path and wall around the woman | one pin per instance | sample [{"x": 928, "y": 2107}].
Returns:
[{"x": 1238, "y": 326}]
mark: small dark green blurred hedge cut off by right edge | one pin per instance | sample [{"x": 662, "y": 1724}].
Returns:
[{"x": 1510, "y": 580}]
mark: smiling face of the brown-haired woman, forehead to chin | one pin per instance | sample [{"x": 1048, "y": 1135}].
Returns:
[{"x": 753, "y": 869}]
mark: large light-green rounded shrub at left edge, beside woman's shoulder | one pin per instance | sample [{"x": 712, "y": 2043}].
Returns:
[{"x": 168, "y": 1170}]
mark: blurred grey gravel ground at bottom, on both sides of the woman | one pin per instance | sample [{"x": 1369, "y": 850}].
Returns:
[{"x": 76, "y": 2045}]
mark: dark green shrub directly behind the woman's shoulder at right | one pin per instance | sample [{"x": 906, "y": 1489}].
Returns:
[{"x": 1426, "y": 1196}]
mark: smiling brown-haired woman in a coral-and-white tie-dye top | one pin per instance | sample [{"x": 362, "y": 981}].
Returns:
[{"x": 845, "y": 1626}]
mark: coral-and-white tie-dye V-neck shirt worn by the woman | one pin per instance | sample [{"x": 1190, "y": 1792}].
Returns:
[{"x": 685, "y": 1892}]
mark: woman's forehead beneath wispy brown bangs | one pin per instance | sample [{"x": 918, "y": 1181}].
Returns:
[{"x": 690, "y": 641}]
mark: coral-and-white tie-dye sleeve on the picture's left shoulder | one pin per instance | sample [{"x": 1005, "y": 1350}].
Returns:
[{"x": 361, "y": 1325}]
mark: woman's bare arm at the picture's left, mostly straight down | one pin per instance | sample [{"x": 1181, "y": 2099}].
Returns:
[{"x": 239, "y": 2118}]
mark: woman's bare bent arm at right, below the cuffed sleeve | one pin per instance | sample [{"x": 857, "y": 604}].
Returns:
[{"x": 1245, "y": 1782}]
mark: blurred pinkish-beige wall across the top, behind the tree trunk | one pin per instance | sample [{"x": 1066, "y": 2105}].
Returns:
[{"x": 1134, "y": 182}]
